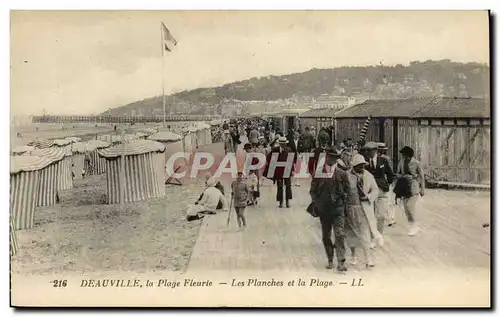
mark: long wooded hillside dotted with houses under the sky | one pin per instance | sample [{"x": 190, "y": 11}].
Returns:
[{"x": 418, "y": 79}]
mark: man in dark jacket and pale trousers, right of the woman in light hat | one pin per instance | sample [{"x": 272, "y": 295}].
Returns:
[{"x": 382, "y": 171}]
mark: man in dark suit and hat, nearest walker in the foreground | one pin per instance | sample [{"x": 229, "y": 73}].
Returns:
[{"x": 329, "y": 191}]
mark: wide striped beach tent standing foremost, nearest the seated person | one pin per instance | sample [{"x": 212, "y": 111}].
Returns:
[{"x": 144, "y": 170}]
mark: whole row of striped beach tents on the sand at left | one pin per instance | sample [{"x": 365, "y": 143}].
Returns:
[{"x": 40, "y": 170}]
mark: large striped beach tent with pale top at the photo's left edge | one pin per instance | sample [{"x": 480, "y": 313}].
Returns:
[{"x": 24, "y": 188}]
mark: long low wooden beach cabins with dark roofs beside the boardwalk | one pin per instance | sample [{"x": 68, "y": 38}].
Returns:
[{"x": 450, "y": 136}]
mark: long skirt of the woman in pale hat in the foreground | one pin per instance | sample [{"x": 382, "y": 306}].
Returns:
[{"x": 357, "y": 229}]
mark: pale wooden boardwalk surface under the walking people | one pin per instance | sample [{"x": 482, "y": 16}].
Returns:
[{"x": 452, "y": 236}]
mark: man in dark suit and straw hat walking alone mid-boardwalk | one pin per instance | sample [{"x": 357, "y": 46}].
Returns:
[{"x": 283, "y": 170}]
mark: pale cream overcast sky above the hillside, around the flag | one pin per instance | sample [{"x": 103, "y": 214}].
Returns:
[{"x": 87, "y": 62}]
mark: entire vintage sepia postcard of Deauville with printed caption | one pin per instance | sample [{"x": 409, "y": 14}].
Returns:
[{"x": 250, "y": 159}]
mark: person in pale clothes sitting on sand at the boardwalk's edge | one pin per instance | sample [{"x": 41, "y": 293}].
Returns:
[{"x": 208, "y": 203}]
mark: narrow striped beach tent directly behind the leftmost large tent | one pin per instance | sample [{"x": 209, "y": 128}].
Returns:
[{"x": 49, "y": 176}]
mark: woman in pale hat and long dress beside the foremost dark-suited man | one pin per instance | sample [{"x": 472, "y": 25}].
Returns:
[{"x": 364, "y": 191}]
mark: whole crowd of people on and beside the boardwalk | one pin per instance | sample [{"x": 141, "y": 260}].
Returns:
[{"x": 353, "y": 186}]
